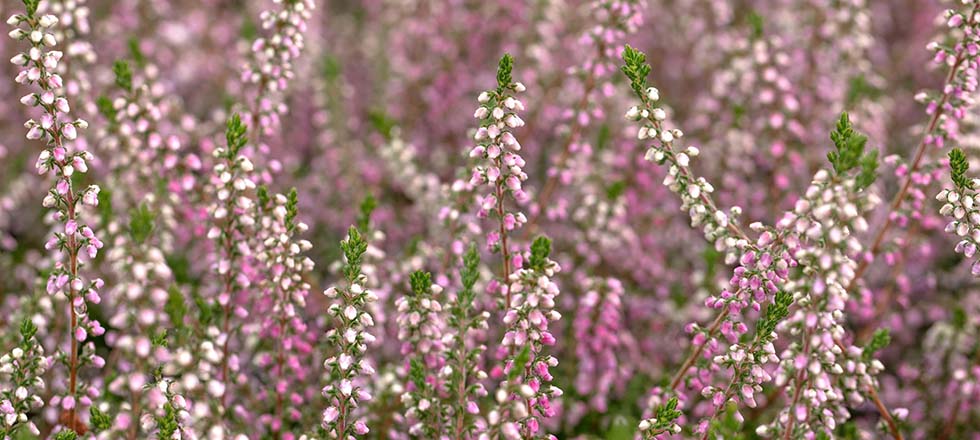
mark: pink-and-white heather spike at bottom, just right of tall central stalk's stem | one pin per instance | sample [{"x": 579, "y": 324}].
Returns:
[{"x": 524, "y": 397}]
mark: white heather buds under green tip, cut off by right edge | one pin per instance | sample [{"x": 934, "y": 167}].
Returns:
[{"x": 961, "y": 207}]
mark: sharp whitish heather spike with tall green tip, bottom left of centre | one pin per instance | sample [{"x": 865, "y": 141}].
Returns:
[{"x": 348, "y": 368}]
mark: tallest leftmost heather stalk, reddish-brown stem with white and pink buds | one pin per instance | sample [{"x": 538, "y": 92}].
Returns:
[{"x": 77, "y": 242}]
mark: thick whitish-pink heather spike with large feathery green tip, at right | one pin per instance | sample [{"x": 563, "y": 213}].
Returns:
[{"x": 817, "y": 370}]
